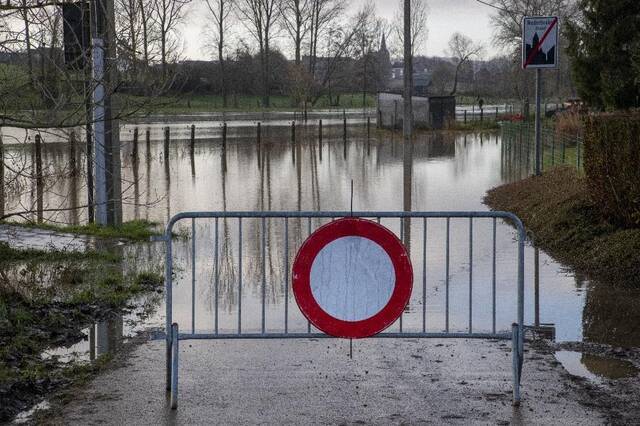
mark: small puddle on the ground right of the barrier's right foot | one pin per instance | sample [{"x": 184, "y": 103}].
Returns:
[{"x": 595, "y": 368}]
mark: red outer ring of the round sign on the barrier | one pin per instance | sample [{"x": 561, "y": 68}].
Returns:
[{"x": 348, "y": 227}]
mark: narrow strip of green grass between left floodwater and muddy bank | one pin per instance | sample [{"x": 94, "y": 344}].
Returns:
[{"x": 135, "y": 230}]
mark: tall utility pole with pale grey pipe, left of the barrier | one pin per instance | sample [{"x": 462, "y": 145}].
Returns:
[{"x": 106, "y": 138}]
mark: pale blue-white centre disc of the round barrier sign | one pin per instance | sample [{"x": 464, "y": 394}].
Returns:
[{"x": 352, "y": 278}]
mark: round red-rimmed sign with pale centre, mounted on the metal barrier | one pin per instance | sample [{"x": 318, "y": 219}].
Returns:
[{"x": 352, "y": 278}]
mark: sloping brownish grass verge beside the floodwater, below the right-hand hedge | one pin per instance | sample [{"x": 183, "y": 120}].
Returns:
[{"x": 556, "y": 208}]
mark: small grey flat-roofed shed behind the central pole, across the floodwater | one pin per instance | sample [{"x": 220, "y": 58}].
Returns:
[{"x": 433, "y": 112}]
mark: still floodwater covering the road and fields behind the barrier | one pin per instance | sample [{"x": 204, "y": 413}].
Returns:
[{"x": 447, "y": 171}]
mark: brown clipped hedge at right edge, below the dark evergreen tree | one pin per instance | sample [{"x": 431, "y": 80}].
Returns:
[{"x": 612, "y": 165}]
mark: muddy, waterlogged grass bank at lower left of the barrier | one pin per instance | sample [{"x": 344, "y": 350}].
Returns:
[{"x": 46, "y": 305}]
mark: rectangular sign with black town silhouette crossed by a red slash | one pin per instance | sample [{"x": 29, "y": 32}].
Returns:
[{"x": 539, "y": 42}]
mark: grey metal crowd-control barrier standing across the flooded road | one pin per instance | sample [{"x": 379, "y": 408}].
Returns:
[{"x": 173, "y": 336}]
